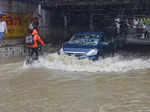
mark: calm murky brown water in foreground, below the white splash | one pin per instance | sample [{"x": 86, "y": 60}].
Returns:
[{"x": 45, "y": 90}]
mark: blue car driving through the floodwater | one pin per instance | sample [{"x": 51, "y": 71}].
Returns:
[{"x": 89, "y": 45}]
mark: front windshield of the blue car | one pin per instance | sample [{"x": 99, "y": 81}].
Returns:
[{"x": 85, "y": 39}]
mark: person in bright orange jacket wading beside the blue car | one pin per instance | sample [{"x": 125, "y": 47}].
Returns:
[{"x": 34, "y": 47}]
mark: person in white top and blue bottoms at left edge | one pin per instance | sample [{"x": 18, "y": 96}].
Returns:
[{"x": 3, "y": 29}]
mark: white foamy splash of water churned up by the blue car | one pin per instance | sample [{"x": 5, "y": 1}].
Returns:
[{"x": 117, "y": 63}]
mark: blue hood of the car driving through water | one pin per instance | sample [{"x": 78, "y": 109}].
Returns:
[{"x": 77, "y": 48}]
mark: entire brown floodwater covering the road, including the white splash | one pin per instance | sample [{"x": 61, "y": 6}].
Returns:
[{"x": 64, "y": 84}]
